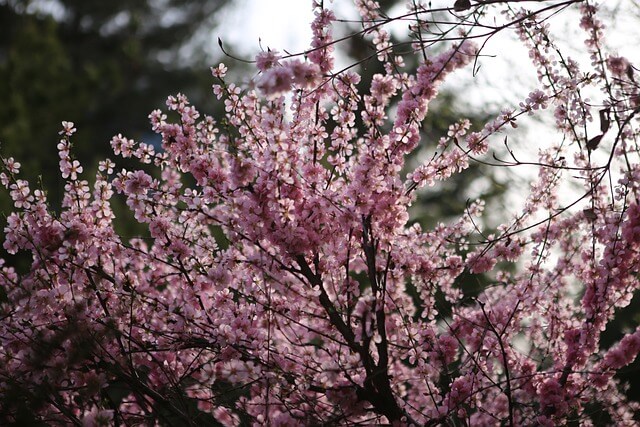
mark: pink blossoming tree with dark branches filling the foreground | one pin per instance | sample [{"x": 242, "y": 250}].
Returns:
[{"x": 284, "y": 282}]
